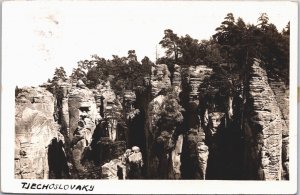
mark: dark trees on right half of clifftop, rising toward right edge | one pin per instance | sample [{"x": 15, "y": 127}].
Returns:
[{"x": 233, "y": 42}]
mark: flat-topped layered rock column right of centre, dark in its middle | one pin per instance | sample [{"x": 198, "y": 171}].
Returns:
[{"x": 195, "y": 152}]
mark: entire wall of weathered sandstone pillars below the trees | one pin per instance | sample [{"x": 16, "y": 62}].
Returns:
[{"x": 199, "y": 124}]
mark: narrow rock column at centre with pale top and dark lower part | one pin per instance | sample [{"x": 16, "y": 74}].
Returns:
[{"x": 160, "y": 82}]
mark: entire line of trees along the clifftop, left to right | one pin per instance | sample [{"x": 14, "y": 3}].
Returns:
[{"x": 234, "y": 42}]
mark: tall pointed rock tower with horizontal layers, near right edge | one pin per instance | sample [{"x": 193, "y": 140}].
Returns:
[{"x": 263, "y": 126}]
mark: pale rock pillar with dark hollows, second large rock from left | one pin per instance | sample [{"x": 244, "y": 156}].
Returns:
[{"x": 82, "y": 116}]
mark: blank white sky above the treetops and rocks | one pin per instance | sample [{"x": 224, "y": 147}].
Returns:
[{"x": 39, "y": 36}]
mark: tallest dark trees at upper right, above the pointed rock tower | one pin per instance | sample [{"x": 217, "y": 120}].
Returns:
[{"x": 240, "y": 42}]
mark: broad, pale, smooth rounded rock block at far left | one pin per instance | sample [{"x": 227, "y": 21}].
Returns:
[{"x": 35, "y": 129}]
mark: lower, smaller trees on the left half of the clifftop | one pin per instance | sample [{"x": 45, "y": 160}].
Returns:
[{"x": 124, "y": 73}]
